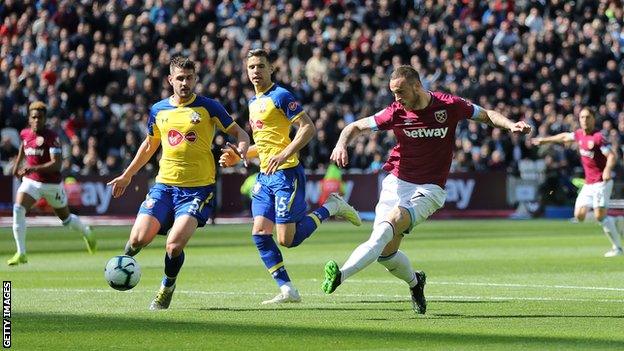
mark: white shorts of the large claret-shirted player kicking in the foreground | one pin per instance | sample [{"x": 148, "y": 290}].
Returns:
[{"x": 421, "y": 200}]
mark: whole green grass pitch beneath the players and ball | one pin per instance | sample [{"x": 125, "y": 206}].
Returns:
[{"x": 492, "y": 285}]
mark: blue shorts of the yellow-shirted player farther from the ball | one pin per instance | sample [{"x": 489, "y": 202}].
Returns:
[{"x": 280, "y": 196}]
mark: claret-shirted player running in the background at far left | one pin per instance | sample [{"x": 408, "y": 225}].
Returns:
[{"x": 41, "y": 178}]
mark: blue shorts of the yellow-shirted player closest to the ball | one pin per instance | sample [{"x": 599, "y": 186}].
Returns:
[{"x": 168, "y": 202}]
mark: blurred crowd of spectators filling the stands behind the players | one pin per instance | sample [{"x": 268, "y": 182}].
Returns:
[{"x": 99, "y": 65}]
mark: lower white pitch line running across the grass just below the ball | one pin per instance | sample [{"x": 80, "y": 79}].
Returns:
[{"x": 431, "y": 297}]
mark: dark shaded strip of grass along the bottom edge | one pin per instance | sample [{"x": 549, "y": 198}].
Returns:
[{"x": 172, "y": 329}]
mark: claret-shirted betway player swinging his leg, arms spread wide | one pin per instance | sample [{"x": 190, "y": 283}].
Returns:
[{"x": 424, "y": 124}]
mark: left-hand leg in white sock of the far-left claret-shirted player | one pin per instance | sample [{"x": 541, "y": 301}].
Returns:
[{"x": 27, "y": 195}]
